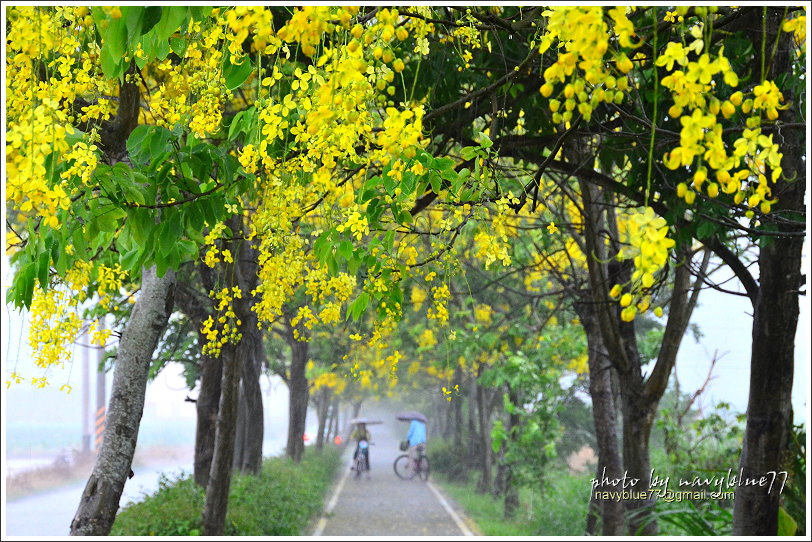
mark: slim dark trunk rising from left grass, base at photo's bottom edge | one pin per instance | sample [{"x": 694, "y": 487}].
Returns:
[{"x": 214, "y": 512}]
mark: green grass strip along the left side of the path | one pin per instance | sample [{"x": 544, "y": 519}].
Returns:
[{"x": 282, "y": 501}]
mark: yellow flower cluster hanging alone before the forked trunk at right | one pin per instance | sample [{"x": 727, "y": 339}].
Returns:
[{"x": 645, "y": 240}]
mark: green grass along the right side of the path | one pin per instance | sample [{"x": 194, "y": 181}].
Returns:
[{"x": 559, "y": 511}]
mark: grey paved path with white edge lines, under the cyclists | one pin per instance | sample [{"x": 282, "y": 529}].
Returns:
[{"x": 383, "y": 504}]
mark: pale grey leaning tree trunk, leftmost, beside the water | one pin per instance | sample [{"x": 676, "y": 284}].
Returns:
[{"x": 100, "y": 500}]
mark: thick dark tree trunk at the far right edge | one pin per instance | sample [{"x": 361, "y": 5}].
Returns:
[{"x": 775, "y": 319}]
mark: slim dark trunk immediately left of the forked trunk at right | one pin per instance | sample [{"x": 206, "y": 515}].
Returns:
[{"x": 603, "y": 412}]
